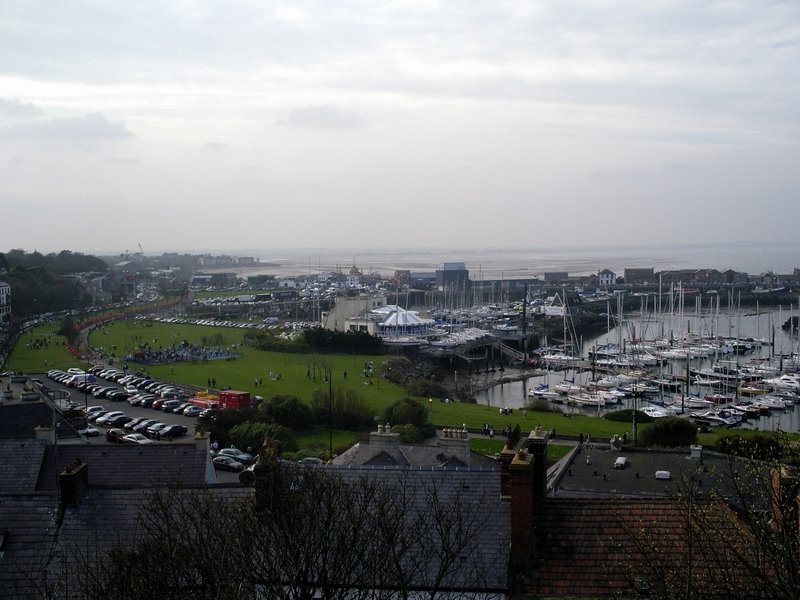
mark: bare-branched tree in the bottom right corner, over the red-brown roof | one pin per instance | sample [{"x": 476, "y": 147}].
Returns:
[{"x": 739, "y": 534}]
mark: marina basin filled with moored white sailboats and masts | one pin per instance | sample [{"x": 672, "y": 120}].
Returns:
[{"x": 708, "y": 382}]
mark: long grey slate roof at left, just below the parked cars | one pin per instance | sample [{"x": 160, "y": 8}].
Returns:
[{"x": 124, "y": 465}]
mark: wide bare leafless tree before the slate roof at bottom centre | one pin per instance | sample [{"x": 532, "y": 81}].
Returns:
[{"x": 302, "y": 533}]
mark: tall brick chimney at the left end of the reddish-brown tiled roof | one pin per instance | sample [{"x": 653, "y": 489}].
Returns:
[{"x": 527, "y": 481}]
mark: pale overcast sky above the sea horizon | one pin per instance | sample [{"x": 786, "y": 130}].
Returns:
[{"x": 188, "y": 125}]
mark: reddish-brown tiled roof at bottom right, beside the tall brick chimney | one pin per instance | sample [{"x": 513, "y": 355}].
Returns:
[{"x": 611, "y": 547}]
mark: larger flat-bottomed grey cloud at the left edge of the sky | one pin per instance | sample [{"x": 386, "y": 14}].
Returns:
[{"x": 93, "y": 127}]
